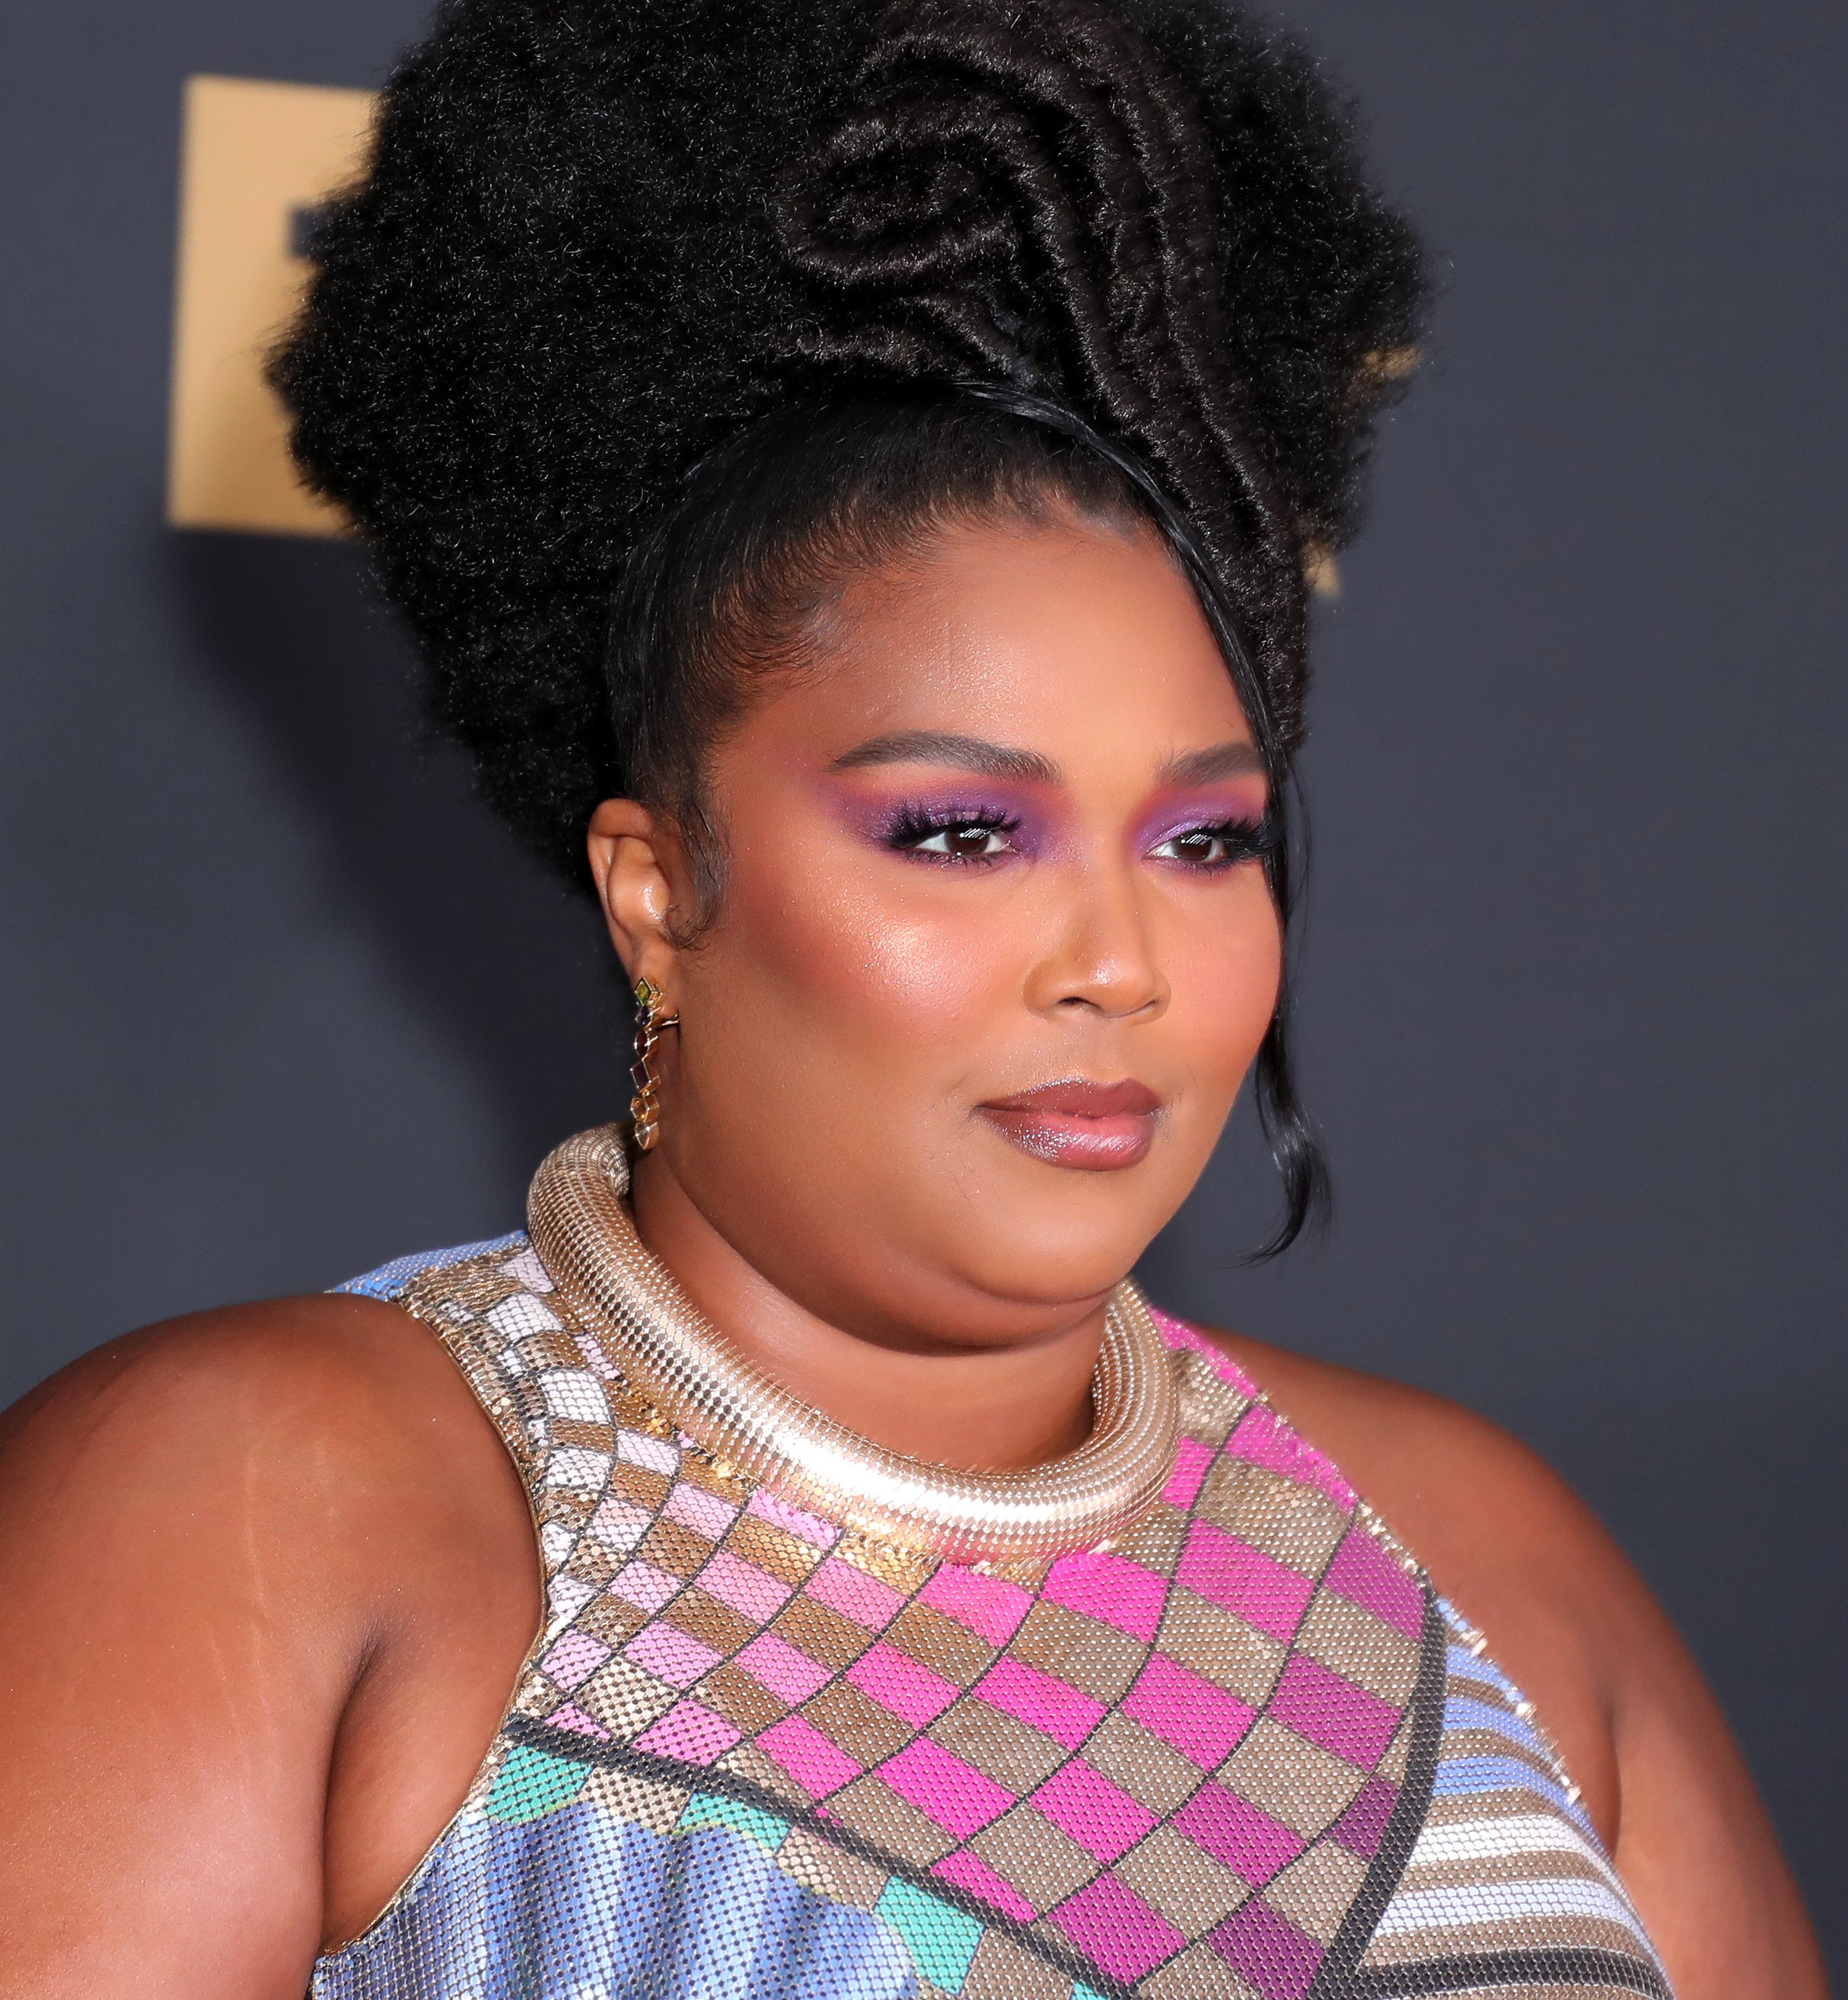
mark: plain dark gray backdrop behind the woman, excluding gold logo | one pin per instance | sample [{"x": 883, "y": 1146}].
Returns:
[{"x": 281, "y": 1003}]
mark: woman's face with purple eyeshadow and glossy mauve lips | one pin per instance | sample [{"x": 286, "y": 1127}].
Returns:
[{"x": 995, "y": 947}]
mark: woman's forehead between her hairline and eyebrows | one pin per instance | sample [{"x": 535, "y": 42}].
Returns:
[{"x": 1073, "y": 637}]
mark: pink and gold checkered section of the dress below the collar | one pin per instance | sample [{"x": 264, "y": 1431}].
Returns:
[{"x": 1175, "y": 1759}]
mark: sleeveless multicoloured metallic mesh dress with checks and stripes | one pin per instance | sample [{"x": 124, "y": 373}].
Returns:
[{"x": 1243, "y": 1755}]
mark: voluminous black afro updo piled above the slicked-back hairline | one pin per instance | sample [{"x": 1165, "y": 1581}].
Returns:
[{"x": 599, "y": 239}]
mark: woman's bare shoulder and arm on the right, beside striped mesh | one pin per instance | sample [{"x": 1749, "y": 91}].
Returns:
[{"x": 1515, "y": 1549}]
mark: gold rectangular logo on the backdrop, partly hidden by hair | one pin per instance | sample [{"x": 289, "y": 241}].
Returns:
[{"x": 257, "y": 159}]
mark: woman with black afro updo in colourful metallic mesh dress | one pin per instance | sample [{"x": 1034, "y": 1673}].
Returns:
[{"x": 855, "y": 483}]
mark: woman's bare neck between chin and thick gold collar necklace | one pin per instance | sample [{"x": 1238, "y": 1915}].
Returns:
[{"x": 981, "y": 1409}]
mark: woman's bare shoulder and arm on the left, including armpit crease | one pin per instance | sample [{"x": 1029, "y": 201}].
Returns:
[{"x": 239, "y": 1557}]
